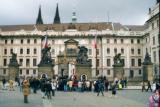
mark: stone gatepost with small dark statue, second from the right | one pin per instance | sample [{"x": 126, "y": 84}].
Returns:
[{"x": 118, "y": 67}]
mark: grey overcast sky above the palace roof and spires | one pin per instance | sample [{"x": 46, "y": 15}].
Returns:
[{"x": 130, "y": 12}]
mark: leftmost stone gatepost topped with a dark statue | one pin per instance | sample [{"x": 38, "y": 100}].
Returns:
[{"x": 13, "y": 67}]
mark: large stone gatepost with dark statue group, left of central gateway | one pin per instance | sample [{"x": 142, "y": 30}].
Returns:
[{"x": 46, "y": 66}]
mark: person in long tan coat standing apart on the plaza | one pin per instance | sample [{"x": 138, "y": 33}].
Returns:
[{"x": 26, "y": 90}]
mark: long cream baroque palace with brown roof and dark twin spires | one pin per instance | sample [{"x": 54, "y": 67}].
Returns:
[{"x": 132, "y": 41}]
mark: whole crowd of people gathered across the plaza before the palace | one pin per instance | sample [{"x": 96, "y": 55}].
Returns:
[{"x": 49, "y": 86}]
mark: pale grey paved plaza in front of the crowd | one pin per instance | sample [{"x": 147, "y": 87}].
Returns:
[{"x": 125, "y": 98}]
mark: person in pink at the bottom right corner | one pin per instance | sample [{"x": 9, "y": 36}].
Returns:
[{"x": 154, "y": 99}]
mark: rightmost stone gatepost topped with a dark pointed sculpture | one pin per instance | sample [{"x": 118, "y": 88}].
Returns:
[{"x": 147, "y": 68}]
